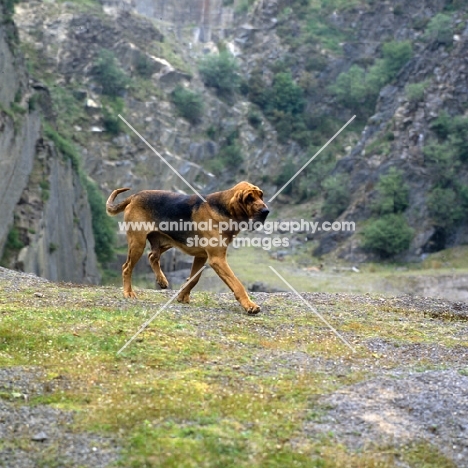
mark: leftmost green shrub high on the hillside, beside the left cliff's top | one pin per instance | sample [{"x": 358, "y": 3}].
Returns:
[{"x": 109, "y": 75}]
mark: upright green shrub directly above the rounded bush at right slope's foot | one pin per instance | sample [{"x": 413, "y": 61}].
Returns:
[{"x": 393, "y": 193}]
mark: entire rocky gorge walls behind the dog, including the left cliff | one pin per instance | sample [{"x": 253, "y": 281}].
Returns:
[{"x": 246, "y": 134}]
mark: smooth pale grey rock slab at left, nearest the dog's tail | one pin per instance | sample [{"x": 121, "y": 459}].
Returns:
[{"x": 62, "y": 245}]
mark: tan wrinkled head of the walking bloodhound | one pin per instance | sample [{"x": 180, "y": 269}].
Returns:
[{"x": 247, "y": 203}]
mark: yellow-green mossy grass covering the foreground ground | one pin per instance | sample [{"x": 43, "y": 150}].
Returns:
[{"x": 205, "y": 385}]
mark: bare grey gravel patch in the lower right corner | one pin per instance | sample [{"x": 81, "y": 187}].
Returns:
[{"x": 430, "y": 406}]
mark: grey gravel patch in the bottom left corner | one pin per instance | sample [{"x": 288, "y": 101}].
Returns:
[{"x": 34, "y": 436}]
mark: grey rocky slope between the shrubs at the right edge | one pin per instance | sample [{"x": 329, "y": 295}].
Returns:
[{"x": 443, "y": 68}]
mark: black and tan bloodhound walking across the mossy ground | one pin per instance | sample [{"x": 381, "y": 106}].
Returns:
[{"x": 168, "y": 219}]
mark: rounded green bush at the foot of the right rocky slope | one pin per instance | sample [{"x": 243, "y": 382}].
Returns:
[{"x": 387, "y": 236}]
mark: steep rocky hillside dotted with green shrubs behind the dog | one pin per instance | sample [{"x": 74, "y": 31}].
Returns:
[{"x": 251, "y": 90}]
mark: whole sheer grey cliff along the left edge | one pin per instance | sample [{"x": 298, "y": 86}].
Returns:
[{"x": 42, "y": 200}]
